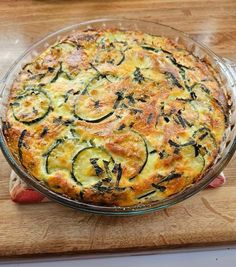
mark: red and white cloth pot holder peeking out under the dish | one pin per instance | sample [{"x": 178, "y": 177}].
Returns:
[{"x": 22, "y": 193}]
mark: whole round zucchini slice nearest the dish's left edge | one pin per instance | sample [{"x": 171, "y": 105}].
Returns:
[{"x": 31, "y": 106}]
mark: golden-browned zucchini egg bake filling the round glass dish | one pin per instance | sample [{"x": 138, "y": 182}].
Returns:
[{"x": 116, "y": 118}]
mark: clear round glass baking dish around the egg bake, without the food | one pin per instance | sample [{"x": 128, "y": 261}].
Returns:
[{"x": 228, "y": 146}]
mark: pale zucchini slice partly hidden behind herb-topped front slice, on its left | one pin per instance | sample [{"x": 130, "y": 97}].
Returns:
[{"x": 61, "y": 154}]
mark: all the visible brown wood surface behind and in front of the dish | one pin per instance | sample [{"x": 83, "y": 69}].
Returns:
[{"x": 208, "y": 218}]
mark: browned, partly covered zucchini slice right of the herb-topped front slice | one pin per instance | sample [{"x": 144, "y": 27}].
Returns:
[{"x": 129, "y": 149}]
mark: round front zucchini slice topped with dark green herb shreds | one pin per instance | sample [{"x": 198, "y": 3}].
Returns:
[{"x": 92, "y": 165}]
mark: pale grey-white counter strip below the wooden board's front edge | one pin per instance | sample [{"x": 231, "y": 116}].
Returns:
[{"x": 218, "y": 258}]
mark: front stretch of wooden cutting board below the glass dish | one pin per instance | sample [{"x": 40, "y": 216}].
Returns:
[{"x": 209, "y": 218}]
